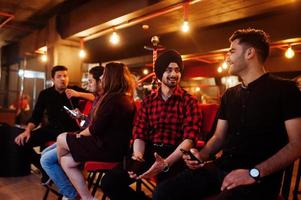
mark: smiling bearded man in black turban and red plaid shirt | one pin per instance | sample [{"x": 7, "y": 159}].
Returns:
[{"x": 169, "y": 120}]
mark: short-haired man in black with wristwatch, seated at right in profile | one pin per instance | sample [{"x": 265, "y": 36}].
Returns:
[{"x": 258, "y": 131}]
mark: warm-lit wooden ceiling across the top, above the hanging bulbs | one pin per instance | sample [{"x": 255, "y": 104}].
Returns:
[{"x": 211, "y": 21}]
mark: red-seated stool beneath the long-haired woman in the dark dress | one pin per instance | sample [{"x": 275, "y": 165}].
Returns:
[{"x": 96, "y": 170}]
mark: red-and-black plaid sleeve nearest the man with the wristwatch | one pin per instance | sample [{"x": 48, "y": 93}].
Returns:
[{"x": 193, "y": 120}]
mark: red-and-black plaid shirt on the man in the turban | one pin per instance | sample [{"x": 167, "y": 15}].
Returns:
[{"x": 168, "y": 122}]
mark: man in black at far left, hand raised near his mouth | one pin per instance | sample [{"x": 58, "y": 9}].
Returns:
[{"x": 50, "y": 102}]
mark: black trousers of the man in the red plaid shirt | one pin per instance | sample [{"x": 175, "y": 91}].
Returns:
[{"x": 115, "y": 183}]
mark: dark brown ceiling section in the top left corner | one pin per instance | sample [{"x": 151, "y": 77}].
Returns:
[{"x": 19, "y": 18}]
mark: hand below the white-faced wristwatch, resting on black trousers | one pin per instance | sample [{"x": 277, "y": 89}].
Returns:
[{"x": 236, "y": 178}]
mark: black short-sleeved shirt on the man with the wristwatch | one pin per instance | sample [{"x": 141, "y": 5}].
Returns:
[{"x": 256, "y": 116}]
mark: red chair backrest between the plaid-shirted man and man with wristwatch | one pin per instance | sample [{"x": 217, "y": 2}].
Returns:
[{"x": 209, "y": 112}]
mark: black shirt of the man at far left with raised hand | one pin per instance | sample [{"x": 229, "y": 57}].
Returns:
[{"x": 50, "y": 102}]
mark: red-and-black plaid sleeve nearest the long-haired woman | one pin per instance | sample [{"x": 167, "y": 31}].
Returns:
[{"x": 140, "y": 130}]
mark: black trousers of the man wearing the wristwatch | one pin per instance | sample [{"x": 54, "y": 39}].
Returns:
[{"x": 206, "y": 181}]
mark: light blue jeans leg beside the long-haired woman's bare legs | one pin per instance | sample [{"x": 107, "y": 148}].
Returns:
[{"x": 50, "y": 164}]
